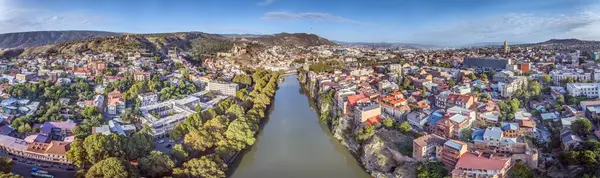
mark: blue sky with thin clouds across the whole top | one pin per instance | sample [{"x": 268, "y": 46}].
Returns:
[{"x": 433, "y": 22}]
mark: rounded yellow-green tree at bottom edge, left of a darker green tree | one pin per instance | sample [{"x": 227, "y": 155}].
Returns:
[{"x": 112, "y": 167}]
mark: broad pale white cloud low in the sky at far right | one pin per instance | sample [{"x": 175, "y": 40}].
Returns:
[{"x": 518, "y": 27}]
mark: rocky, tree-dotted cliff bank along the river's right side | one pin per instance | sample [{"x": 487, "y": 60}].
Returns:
[{"x": 385, "y": 154}]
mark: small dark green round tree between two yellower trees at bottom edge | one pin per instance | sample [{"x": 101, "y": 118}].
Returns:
[{"x": 155, "y": 164}]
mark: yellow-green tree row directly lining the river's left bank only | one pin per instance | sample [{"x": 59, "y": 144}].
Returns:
[{"x": 218, "y": 133}]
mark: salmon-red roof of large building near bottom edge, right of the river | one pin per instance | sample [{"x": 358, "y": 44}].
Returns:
[{"x": 472, "y": 161}]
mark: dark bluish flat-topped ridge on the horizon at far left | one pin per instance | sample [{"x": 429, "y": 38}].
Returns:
[{"x": 40, "y": 38}]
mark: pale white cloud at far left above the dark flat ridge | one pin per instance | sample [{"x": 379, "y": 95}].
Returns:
[{"x": 15, "y": 18}]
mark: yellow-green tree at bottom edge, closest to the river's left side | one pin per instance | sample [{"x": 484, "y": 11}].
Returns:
[{"x": 210, "y": 166}]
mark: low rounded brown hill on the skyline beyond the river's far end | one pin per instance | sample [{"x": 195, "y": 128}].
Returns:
[{"x": 289, "y": 39}]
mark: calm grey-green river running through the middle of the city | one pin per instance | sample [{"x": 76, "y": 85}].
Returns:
[{"x": 293, "y": 143}]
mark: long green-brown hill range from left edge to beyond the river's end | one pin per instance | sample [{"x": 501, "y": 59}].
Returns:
[{"x": 197, "y": 43}]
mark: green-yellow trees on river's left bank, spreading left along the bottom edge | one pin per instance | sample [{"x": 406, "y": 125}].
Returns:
[{"x": 212, "y": 138}]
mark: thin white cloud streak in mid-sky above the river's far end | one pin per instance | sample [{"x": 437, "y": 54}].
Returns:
[{"x": 307, "y": 16}]
